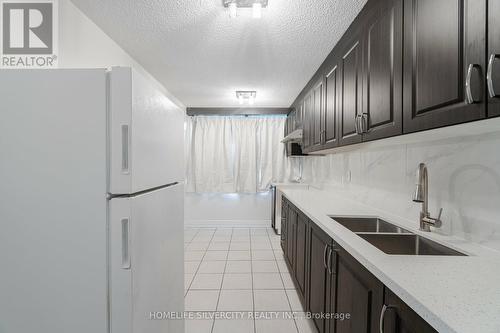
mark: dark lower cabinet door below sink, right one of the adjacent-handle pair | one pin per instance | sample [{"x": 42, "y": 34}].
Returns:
[{"x": 359, "y": 294}]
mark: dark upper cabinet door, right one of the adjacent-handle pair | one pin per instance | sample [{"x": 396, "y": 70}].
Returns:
[{"x": 382, "y": 104}]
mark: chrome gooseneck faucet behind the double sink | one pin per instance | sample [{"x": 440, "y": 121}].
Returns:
[{"x": 422, "y": 195}]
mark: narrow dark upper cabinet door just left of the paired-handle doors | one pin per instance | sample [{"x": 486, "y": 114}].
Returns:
[{"x": 332, "y": 96}]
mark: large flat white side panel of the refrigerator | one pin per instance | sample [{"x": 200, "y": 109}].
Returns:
[{"x": 53, "y": 240}]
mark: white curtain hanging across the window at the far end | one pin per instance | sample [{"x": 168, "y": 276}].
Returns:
[{"x": 235, "y": 154}]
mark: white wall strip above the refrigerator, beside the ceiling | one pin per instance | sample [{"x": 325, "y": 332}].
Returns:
[{"x": 82, "y": 44}]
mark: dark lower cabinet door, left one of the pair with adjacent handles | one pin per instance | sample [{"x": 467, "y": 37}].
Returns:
[{"x": 319, "y": 278}]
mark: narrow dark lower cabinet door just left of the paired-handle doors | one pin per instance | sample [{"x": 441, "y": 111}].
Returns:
[{"x": 302, "y": 231}]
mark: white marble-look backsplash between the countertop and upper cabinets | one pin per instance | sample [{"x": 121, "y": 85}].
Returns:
[{"x": 464, "y": 179}]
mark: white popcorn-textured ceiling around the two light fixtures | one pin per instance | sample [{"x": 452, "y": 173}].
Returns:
[{"x": 202, "y": 56}]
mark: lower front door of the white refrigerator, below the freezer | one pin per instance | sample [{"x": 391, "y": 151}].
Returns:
[{"x": 147, "y": 272}]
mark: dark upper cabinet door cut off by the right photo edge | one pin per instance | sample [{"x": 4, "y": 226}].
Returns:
[{"x": 493, "y": 77}]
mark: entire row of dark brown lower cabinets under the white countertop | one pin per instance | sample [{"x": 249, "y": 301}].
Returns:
[{"x": 331, "y": 282}]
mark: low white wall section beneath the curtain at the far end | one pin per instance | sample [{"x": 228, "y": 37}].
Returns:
[{"x": 228, "y": 209}]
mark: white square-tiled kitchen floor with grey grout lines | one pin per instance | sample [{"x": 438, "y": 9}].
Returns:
[{"x": 240, "y": 270}]
